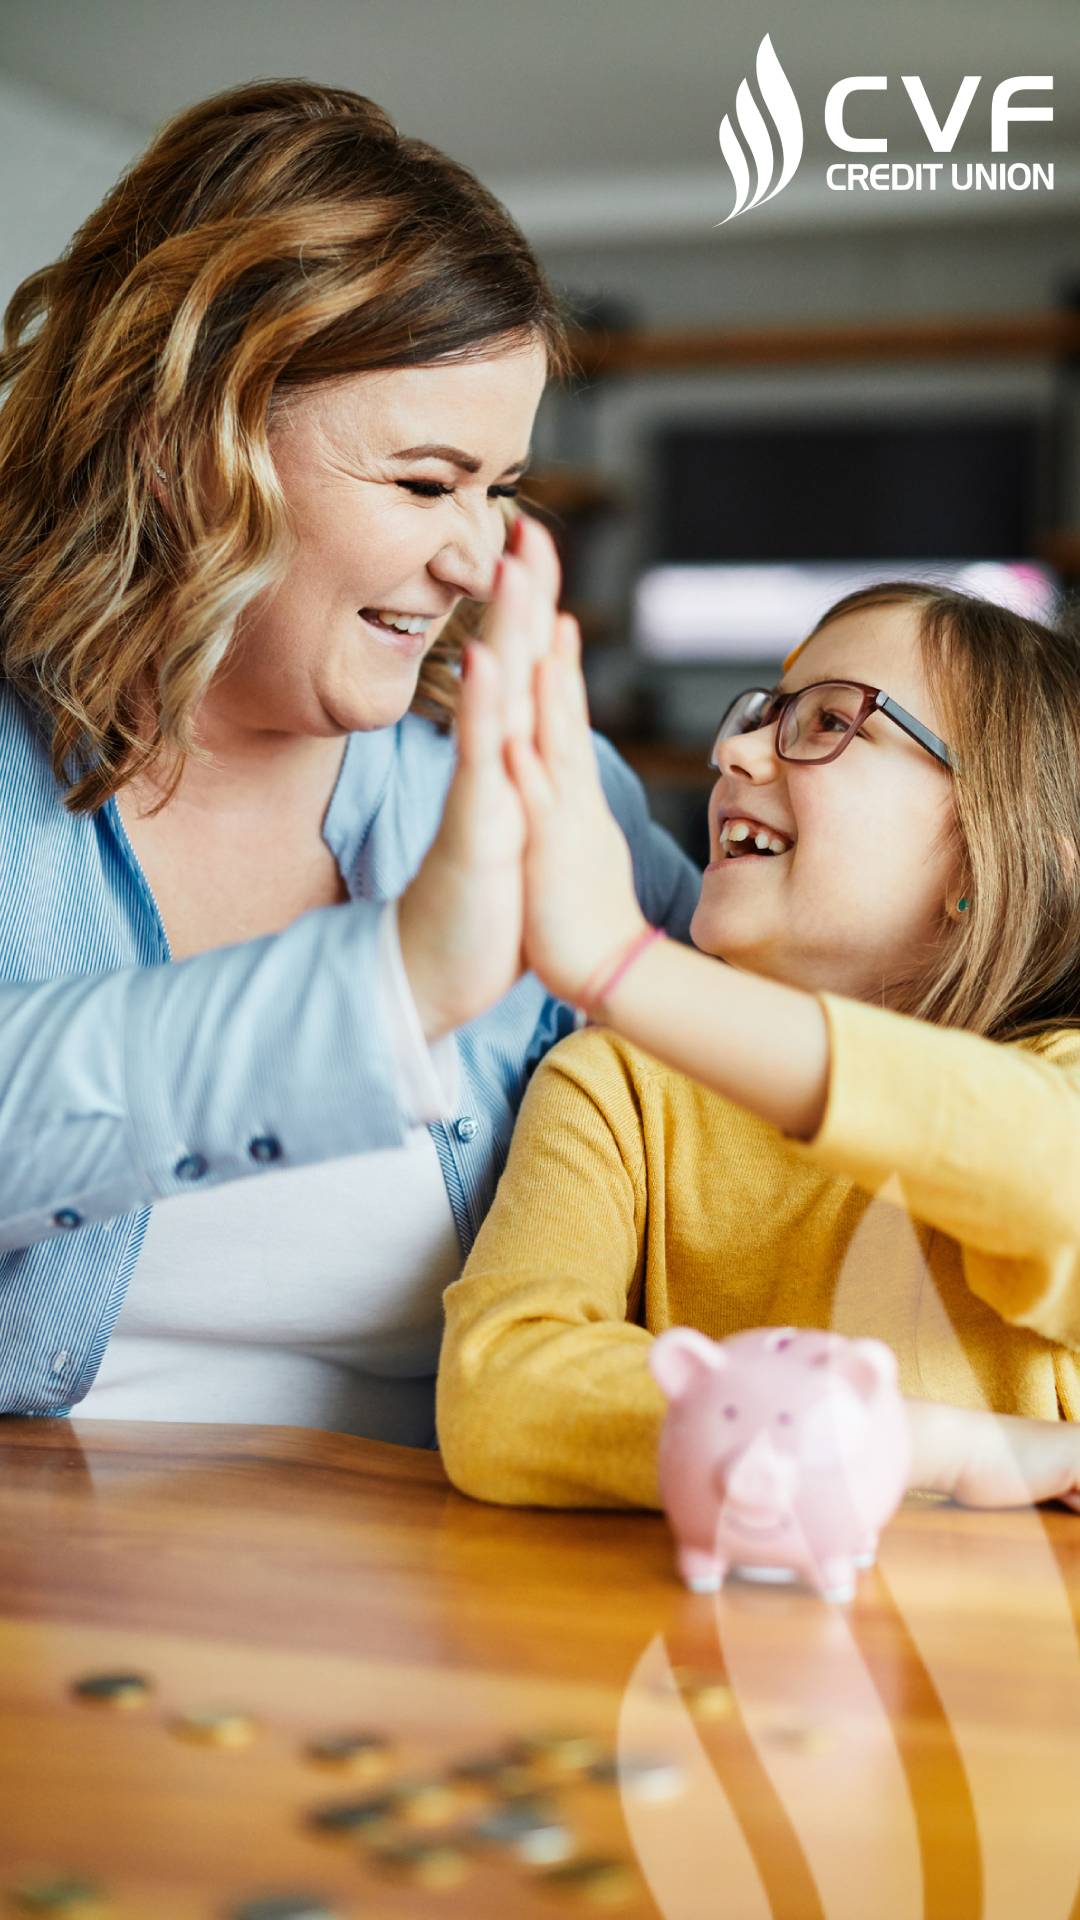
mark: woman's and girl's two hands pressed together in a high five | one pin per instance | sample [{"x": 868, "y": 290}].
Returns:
[{"x": 529, "y": 867}]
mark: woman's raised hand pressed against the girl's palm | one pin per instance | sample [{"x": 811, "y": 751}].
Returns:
[{"x": 460, "y": 923}]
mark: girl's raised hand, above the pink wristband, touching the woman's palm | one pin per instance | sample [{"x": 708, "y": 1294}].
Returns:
[{"x": 581, "y": 909}]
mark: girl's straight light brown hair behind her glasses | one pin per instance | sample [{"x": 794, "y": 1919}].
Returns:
[{"x": 1010, "y": 698}]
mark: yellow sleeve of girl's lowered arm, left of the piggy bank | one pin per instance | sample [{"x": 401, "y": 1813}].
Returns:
[{"x": 545, "y": 1397}]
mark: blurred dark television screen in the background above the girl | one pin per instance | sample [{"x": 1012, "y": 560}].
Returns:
[{"x": 873, "y": 489}]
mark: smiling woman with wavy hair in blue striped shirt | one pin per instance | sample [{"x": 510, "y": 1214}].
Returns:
[{"x": 264, "y": 423}]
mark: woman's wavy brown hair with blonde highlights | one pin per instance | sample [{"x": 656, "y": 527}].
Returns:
[{"x": 270, "y": 239}]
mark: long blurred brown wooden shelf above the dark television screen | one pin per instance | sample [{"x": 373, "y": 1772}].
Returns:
[{"x": 946, "y": 339}]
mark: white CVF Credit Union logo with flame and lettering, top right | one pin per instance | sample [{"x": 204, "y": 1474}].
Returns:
[{"x": 766, "y": 143}]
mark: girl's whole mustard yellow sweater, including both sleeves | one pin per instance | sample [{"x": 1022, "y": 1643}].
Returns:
[{"x": 939, "y": 1209}]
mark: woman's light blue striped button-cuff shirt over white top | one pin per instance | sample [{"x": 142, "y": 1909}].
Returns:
[{"x": 124, "y": 1076}]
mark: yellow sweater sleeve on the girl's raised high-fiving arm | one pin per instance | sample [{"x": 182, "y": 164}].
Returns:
[{"x": 985, "y": 1138}]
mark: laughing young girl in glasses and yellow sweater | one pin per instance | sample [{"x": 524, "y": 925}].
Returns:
[{"x": 868, "y": 1118}]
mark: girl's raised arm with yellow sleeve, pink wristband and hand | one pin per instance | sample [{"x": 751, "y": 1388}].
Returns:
[{"x": 985, "y": 1138}]
